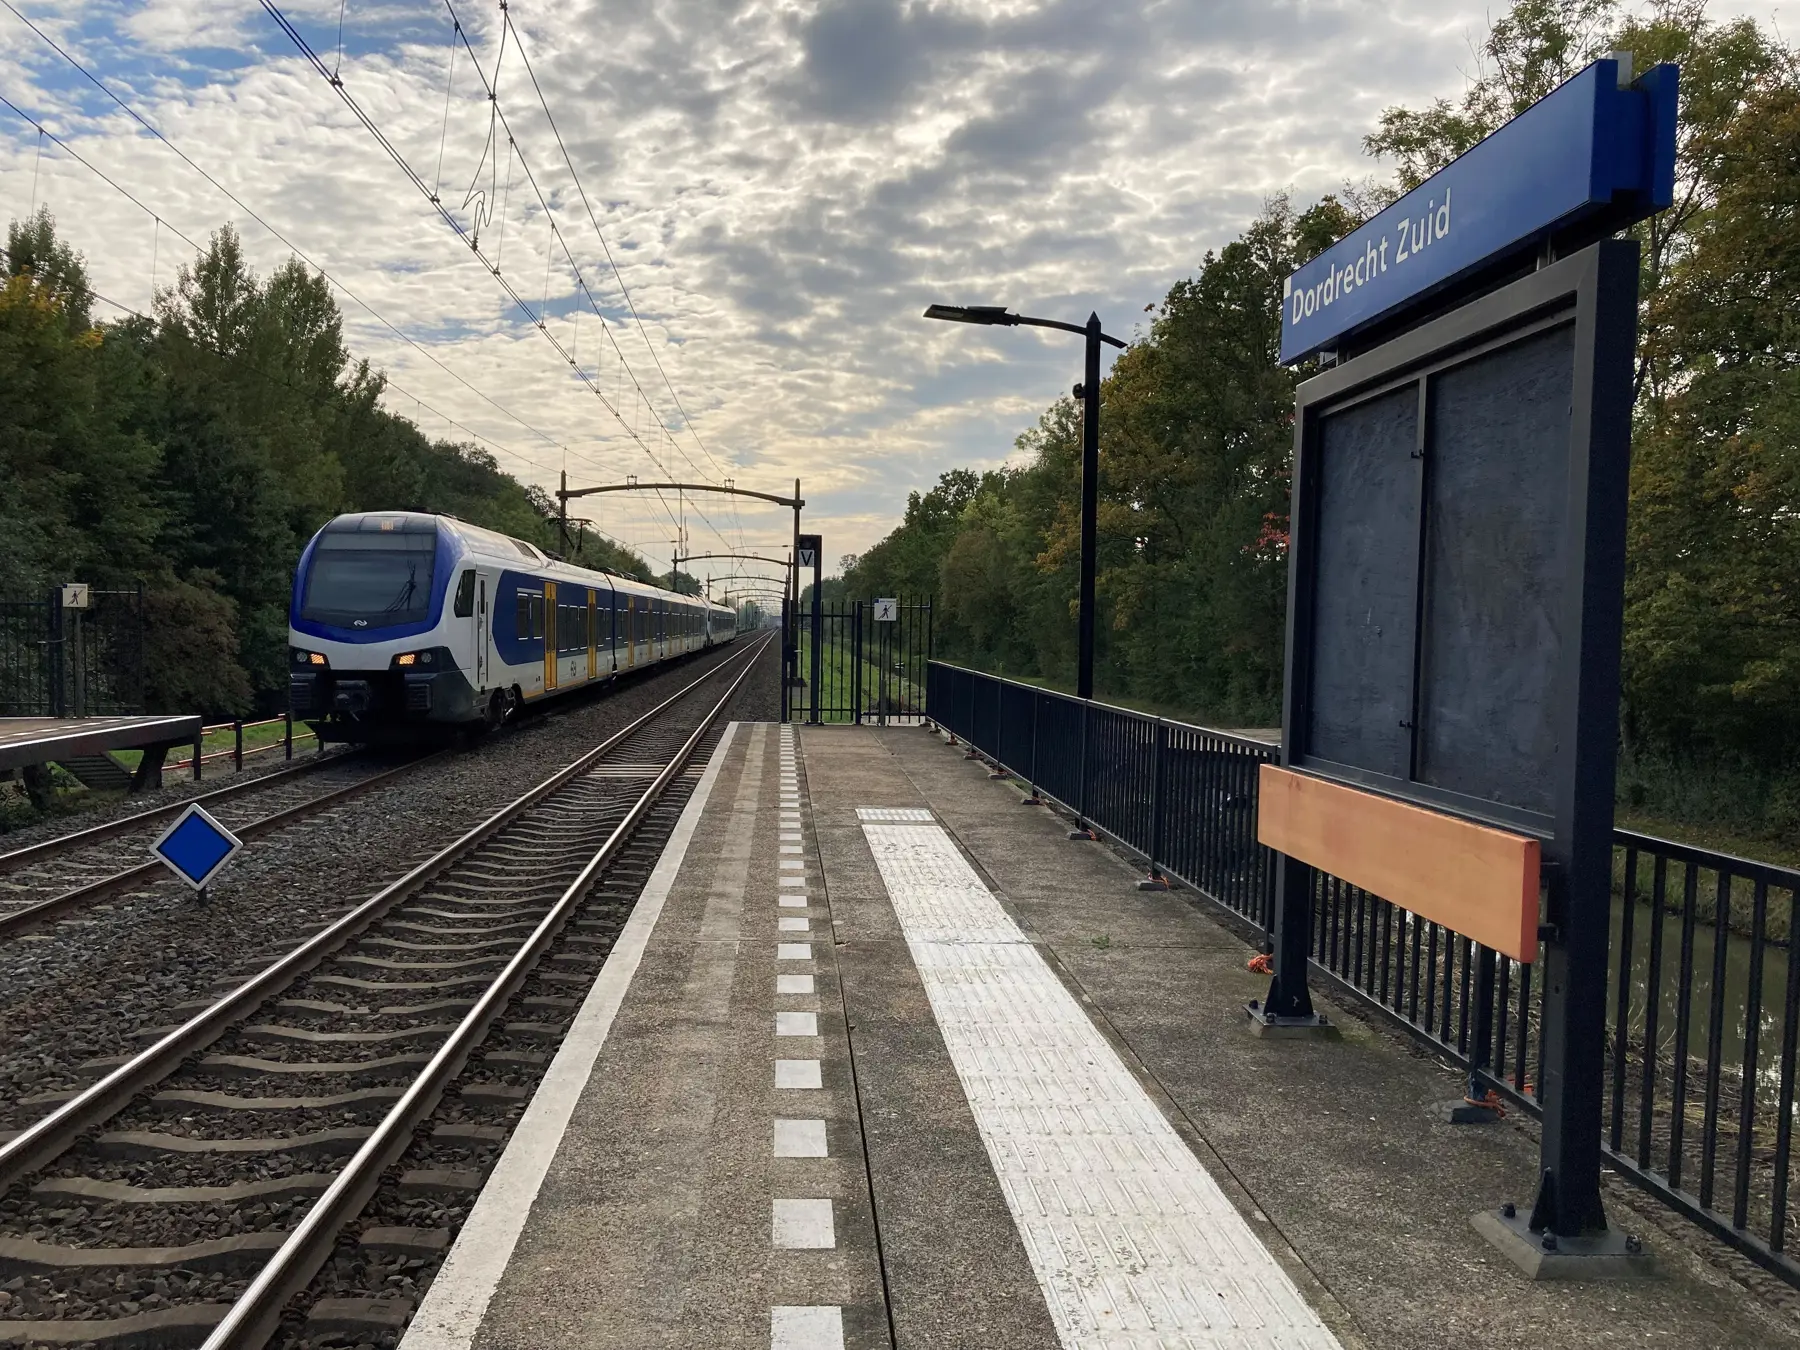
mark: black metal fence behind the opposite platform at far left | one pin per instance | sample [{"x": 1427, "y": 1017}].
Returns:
[{"x": 64, "y": 661}]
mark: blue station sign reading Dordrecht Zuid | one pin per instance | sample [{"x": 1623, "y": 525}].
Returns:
[{"x": 1599, "y": 154}]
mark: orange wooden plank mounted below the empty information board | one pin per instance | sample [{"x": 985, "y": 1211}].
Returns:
[{"x": 1470, "y": 877}]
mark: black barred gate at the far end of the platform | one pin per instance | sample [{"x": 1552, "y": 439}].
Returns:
[{"x": 872, "y": 663}]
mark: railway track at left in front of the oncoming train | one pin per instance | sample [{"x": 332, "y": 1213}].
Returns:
[{"x": 55, "y": 877}]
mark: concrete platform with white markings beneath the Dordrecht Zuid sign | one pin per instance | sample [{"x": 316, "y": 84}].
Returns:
[{"x": 883, "y": 1059}]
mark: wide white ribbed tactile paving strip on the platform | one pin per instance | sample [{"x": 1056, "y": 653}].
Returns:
[{"x": 1131, "y": 1239}]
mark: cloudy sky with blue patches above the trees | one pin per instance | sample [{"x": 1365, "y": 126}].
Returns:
[{"x": 778, "y": 186}]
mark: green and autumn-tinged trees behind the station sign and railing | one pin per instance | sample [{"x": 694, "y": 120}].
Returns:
[{"x": 1196, "y": 436}]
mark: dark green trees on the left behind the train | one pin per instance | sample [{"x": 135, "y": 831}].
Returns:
[{"x": 201, "y": 449}]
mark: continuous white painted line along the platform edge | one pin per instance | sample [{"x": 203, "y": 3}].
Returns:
[{"x": 460, "y": 1295}]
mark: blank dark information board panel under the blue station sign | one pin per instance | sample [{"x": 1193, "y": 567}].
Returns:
[{"x": 1439, "y": 548}]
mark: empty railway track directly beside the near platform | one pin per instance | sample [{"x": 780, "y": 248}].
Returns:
[{"x": 226, "y": 1180}]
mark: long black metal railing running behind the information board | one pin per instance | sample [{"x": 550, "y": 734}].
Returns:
[{"x": 1704, "y": 980}]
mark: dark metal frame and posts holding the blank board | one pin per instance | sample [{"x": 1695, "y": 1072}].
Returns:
[{"x": 1596, "y": 292}]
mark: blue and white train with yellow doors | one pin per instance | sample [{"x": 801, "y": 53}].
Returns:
[{"x": 409, "y": 622}]
